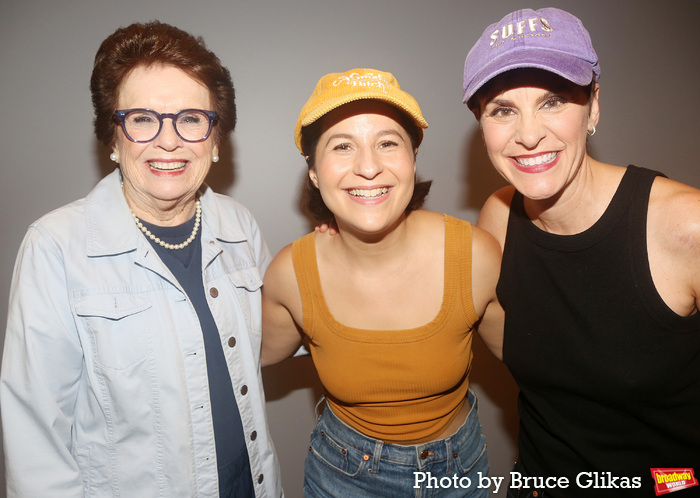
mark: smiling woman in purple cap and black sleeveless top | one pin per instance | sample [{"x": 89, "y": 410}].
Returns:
[{"x": 600, "y": 279}]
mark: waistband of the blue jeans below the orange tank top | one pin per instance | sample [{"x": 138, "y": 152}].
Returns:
[{"x": 417, "y": 455}]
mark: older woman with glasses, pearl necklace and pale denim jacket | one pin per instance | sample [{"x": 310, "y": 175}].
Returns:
[{"x": 131, "y": 364}]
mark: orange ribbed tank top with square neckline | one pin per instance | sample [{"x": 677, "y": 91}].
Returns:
[{"x": 398, "y": 386}]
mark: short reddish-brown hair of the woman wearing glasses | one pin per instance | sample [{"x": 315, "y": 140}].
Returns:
[{"x": 152, "y": 44}]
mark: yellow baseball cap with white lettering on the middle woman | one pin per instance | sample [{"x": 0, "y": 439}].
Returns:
[{"x": 336, "y": 89}]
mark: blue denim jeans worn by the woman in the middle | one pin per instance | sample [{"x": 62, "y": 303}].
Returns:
[{"x": 342, "y": 462}]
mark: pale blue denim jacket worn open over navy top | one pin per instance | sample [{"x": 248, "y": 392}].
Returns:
[{"x": 104, "y": 386}]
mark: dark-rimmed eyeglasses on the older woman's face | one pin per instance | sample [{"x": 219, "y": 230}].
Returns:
[{"x": 144, "y": 125}]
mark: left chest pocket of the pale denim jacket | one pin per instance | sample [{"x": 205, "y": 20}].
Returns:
[{"x": 119, "y": 326}]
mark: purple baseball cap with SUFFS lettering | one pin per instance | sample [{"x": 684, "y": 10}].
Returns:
[{"x": 549, "y": 39}]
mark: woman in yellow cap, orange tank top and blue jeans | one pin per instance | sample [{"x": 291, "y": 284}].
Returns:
[{"x": 389, "y": 304}]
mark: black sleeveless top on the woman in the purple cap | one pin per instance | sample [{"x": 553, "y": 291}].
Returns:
[{"x": 609, "y": 375}]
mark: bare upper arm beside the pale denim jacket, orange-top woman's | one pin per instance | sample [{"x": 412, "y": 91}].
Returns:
[{"x": 281, "y": 305}]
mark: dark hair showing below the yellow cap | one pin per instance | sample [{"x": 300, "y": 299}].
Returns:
[{"x": 310, "y": 136}]
